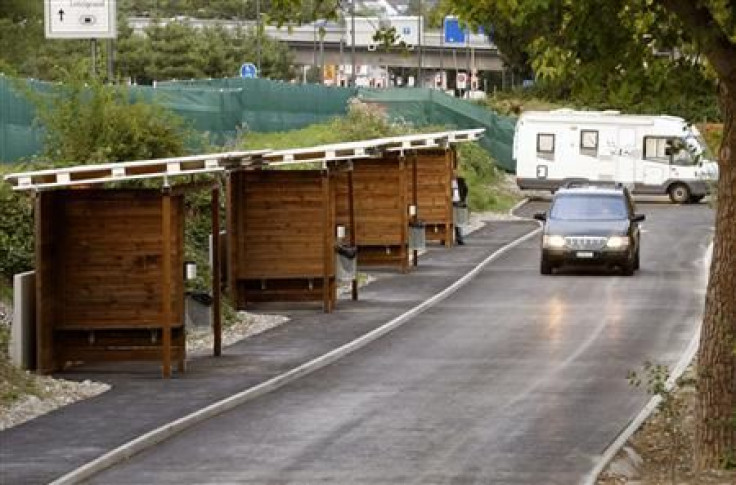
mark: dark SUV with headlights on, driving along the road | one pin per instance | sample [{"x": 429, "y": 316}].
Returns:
[{"x": 591, "y": 225}]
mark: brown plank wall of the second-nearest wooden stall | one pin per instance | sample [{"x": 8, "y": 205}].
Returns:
[{"x": 282, "y": 236}]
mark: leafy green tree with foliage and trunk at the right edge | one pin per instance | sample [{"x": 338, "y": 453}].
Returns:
[{"x": 615, "y": 47}]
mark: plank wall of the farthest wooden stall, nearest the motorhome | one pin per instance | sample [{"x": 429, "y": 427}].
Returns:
[{"x": 434, "y": 194}]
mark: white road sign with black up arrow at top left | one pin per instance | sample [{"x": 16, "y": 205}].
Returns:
[{"x": 80, "y": 19}]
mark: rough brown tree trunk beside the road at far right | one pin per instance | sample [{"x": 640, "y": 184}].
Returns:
[{"x": 716, "y": 431}]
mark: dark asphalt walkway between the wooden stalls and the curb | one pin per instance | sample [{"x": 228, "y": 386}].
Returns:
[{"x": 52, "y": 445}]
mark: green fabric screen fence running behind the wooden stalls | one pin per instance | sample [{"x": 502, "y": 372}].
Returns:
[{"x": 222, "y": 107}]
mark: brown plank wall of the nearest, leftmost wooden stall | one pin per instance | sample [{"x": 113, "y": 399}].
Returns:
[{"x": 99, "y": 257}]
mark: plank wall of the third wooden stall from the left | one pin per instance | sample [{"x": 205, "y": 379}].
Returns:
[{"x": 381, "y": 210}]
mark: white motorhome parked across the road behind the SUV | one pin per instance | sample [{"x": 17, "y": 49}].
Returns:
[{"x": 650, "y": 154}]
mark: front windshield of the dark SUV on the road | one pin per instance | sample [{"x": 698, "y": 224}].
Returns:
[{"x": 588, "y": 208}]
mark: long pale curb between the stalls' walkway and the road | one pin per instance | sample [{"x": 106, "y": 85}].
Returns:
[{"x": 166, "y": 431}]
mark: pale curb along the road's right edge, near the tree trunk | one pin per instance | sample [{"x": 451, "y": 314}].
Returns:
[{"x": 682, "y": 364}]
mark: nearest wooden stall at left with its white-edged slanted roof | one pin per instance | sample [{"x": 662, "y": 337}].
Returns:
[{"x": 109, "y": 262}]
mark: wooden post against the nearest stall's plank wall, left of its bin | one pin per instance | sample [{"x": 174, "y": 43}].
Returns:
[{"x": 166, "y": 280}]
